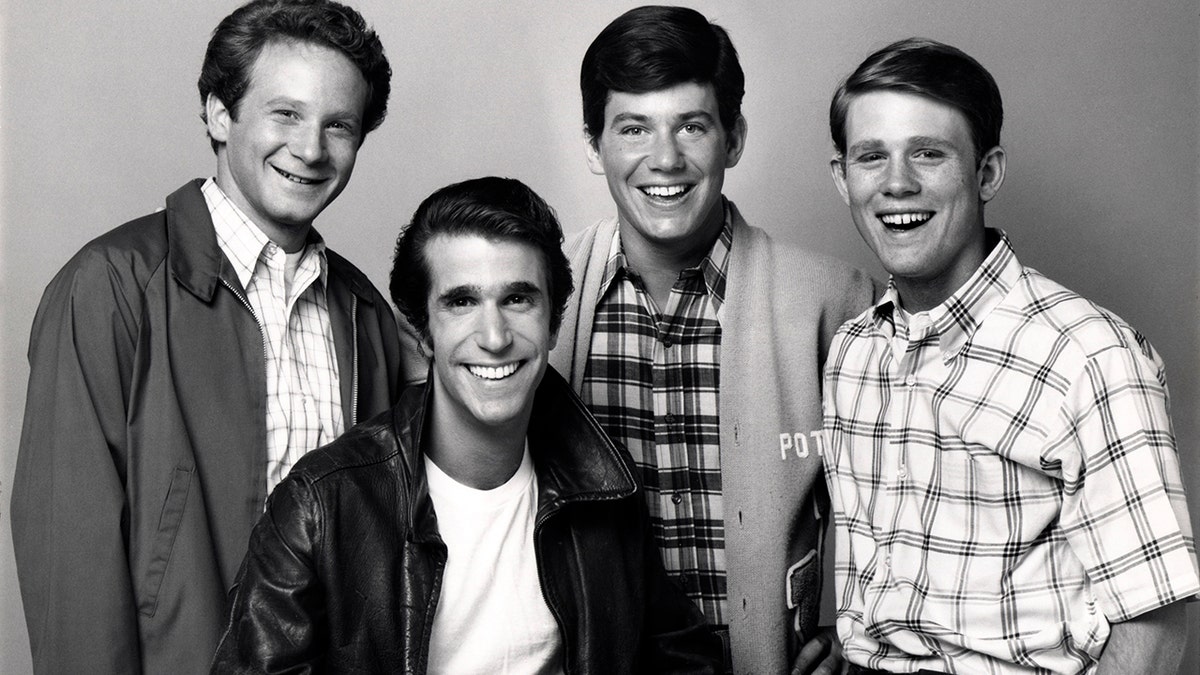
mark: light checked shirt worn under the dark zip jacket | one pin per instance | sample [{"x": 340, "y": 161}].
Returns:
[{"x": 304, "y": 403}]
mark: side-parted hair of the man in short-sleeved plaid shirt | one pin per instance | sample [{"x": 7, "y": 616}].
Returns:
[{"x": 931, "y": 69}]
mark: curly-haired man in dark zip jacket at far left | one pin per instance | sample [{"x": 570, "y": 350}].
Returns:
[{"x": 182, "y": 363}]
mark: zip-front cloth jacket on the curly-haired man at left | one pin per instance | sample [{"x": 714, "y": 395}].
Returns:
[{"x": 143, "y": 456}]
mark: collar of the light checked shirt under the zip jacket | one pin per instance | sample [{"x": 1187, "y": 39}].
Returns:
[{"x": 244, "y": 243}]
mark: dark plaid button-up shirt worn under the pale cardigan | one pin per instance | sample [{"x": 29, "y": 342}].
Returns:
[{"x": 652, "y": 383}]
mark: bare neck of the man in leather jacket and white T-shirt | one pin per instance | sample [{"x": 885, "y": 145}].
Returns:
[{"x": 478, "y": 457}]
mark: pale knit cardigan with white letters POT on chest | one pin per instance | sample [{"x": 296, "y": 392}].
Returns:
[{"x": 782, "y": 308}]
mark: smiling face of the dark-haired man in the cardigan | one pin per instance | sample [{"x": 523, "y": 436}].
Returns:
[{"x": 664, "y": 156}]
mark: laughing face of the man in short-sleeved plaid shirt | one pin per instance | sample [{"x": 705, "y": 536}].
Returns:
[{"x": 916, "y": 192}]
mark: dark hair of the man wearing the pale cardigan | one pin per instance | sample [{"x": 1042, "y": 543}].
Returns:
[{"x": 657, "y": 47}]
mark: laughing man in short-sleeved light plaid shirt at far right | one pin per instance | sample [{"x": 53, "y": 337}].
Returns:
[{"x": 1006, "y": 488}]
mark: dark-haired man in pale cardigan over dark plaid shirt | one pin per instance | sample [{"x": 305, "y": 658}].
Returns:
[{"x": 699, "y": 342}]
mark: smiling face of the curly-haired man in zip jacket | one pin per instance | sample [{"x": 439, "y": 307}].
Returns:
[{"x": 292, "y": 148}]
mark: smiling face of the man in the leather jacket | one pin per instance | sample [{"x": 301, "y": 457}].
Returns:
[{"x": 489, "y": 331}]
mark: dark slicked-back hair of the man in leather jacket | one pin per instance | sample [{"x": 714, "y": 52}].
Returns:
[{"x": 494, "y": 208}]
